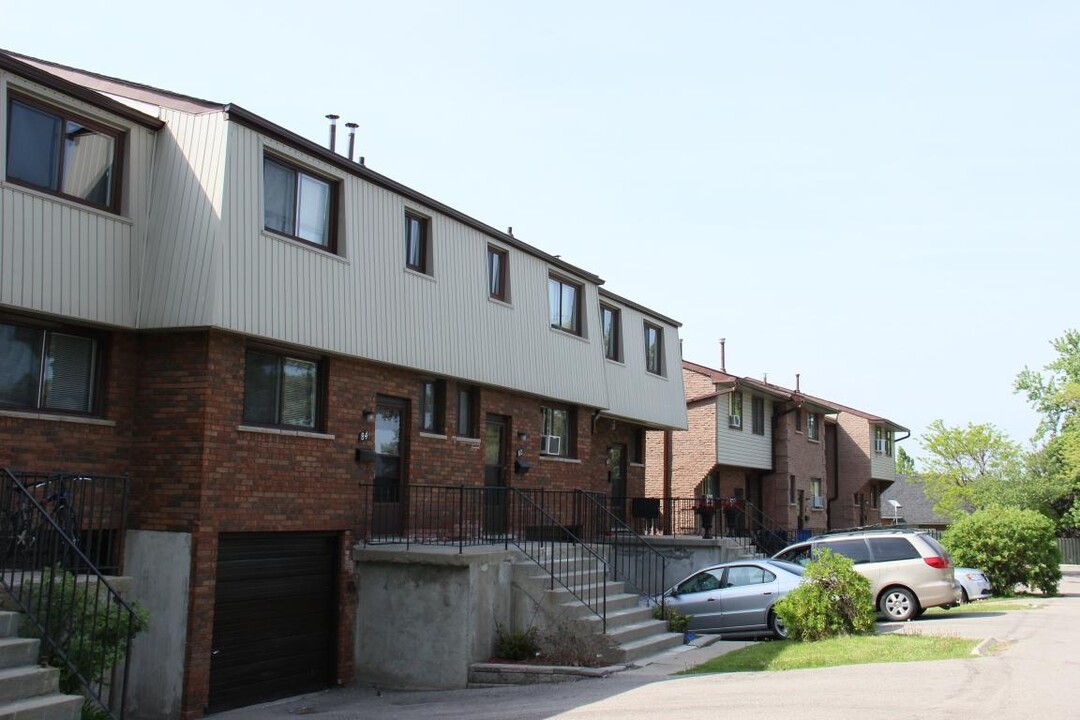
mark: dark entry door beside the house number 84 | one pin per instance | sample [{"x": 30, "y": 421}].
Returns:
[{"x": 390, "y": 456}]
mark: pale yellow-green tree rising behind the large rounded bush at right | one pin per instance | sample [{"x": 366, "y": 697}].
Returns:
[{"x": 968, "y": 468}]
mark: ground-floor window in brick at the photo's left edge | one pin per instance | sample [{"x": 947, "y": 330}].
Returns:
[{"x": 48, "y": 370}]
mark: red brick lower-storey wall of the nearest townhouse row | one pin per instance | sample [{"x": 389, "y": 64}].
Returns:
[{"x": 175, "y": 404}]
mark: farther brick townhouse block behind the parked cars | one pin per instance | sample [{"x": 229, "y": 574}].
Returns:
[{"x": 802, "y": 464}]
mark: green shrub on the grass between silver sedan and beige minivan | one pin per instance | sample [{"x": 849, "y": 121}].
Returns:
[{"x": 833, "y": 601}]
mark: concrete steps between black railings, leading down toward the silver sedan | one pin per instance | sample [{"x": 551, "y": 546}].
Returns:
[{"x": 630, "y": 623}]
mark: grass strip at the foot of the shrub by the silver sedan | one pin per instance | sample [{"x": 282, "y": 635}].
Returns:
[{"x": 855, "y": 650}]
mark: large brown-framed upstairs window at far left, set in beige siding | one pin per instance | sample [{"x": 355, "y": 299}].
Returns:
[{"x": 60, "y": 153}]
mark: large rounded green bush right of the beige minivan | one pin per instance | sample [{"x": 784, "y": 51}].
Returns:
[{"x": 1011, "y": 546}]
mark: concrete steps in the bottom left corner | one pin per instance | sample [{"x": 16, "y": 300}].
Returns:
[{"x": 28, "y": 691}]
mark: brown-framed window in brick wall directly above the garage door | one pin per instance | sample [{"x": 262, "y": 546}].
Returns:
[{"x": 282, "y": 390}]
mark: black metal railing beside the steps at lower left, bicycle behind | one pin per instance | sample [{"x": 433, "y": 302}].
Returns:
[{"x": 47, "y": 574}]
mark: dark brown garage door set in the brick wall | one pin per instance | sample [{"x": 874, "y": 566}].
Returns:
[{"x": 275, "y": 618}]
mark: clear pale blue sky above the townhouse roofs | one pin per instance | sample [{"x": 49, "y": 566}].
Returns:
[{"x": 881, "y": 197}]
